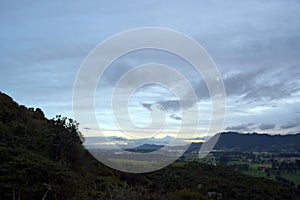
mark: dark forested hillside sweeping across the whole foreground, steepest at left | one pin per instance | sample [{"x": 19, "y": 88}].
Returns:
[{"x": 44, "y": 159}]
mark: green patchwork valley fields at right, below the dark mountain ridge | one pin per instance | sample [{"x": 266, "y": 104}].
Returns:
[{"x": 257, "y": 164}]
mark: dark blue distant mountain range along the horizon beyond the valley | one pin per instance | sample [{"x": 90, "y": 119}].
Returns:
[{"x": 241, "y": 142}]
